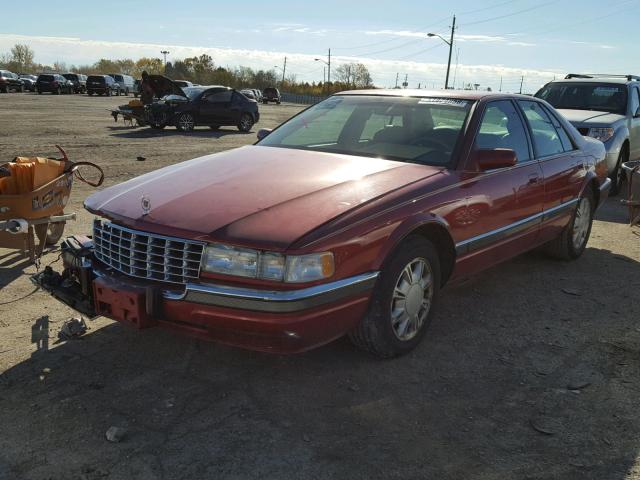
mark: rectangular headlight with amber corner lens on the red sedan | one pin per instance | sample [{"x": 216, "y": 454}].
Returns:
[{"x": 243, "y": 262}]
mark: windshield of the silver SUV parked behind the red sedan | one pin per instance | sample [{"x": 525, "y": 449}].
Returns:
[{"x": 586, "y": 96}]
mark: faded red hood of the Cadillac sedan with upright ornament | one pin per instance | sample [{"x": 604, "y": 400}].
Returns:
[{"x": 265, "y": 197}]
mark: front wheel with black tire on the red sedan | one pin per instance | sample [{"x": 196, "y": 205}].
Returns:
[{"x": 403, "y": 300}]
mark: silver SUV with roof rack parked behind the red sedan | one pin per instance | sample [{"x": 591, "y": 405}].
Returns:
[{"x": 605, "y": 107}]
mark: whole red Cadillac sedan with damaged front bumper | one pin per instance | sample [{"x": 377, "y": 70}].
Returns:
[{"x": 347, "y": 219}]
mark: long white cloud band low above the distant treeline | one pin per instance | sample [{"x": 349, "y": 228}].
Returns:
[{"x": 80, "y": 51}]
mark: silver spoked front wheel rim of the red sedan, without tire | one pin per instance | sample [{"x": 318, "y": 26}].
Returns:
[{"x": 411, "y": 299}]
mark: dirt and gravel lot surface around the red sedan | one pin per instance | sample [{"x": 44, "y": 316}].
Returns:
[{"x": 529, "y": 371}]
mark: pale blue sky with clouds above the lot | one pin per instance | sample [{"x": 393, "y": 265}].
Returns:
[{"x": 495, "y": 38}]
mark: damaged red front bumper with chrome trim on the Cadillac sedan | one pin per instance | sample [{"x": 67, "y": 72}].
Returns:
[{"x": 283, "y": 321}]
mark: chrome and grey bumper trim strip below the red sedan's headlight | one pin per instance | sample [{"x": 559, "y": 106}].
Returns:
[{"x": 273, "y": 301}]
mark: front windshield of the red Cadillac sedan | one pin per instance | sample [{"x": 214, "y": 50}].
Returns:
[{"x": 406, "y": 129}]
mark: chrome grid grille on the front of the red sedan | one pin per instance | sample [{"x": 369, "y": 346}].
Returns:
[{"x": 147, "y": 255}]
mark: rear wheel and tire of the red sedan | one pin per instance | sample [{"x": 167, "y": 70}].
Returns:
[{"x": 571, "y": 243}]
